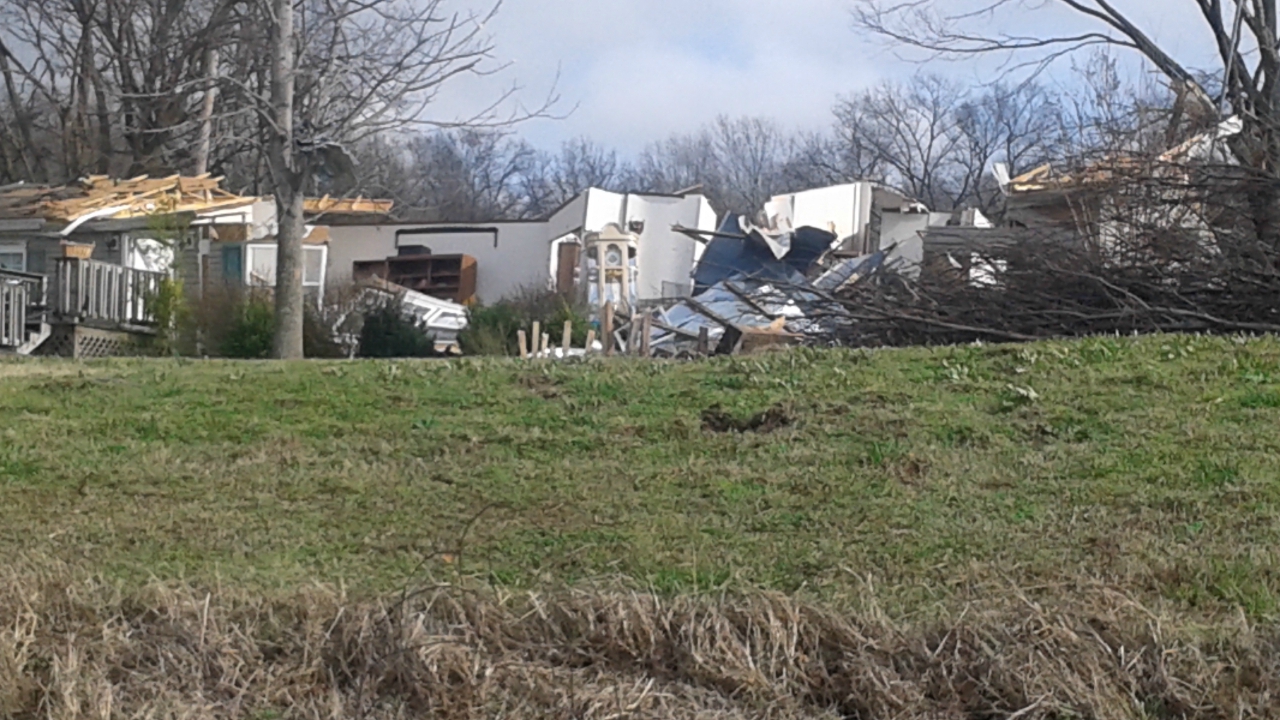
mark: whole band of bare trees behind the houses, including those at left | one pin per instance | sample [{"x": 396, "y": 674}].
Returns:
[{"x": 129, "y": 88}]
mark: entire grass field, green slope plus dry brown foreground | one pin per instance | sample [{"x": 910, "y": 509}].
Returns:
[{"x": 1063, "y": 531}]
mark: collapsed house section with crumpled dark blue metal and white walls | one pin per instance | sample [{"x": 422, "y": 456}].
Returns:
[{"x": 772, "y": 284}]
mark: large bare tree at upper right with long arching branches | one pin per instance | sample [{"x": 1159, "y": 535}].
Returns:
[{"x": 1245, "y": 43}]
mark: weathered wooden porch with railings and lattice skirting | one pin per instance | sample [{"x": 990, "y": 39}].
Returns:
[{"x": 85, "y": 309}]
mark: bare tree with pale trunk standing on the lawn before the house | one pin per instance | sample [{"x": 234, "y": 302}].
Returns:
[{"x": 341, "y": 72}]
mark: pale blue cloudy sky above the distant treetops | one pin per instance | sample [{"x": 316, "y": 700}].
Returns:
[{"x": 633, "y": 72}]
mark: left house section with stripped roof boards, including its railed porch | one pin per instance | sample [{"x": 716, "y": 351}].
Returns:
[{"x": 80, "y": 265}]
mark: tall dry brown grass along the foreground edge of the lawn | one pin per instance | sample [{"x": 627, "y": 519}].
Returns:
[{"x": 77, "y": 649}]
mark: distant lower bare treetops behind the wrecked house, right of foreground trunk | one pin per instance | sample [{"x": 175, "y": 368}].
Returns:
[{"x": 932, "y": 138}]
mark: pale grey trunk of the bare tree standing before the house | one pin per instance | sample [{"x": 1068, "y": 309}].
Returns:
[{"x": 287, "y": 181}]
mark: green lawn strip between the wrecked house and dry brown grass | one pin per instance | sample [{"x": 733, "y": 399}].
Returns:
[{"x": 1151, "y": 463}]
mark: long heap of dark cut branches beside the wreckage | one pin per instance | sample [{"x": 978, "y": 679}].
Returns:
[{"x": 1156, "y": 280}]
